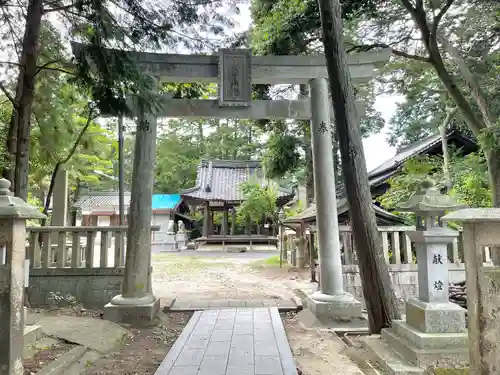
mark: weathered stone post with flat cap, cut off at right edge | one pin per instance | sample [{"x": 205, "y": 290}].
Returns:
[{"x": 481, "y": 228}]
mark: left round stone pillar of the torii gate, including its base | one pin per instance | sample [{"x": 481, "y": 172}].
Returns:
[{"x": 137, "y": 302}]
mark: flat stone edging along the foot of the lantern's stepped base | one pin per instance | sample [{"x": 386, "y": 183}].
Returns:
[{"x": 381, "y": 355}]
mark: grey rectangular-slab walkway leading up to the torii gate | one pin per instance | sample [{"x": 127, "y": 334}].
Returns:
[{"x": 233, "y": 341}]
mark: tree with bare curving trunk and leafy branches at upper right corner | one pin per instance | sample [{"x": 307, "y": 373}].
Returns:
[{"x": 458, "y": 39}]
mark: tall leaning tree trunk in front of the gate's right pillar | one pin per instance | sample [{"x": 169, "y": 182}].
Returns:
[{"x": 377, "y": 287}]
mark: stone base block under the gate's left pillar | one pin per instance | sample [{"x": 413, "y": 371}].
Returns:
[{"x": 134, "y": 313}]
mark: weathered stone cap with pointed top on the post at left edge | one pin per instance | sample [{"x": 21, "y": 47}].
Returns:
[{"x": 15, "y": 207}]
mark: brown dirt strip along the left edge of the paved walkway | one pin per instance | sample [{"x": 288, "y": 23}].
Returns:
[{"x": 144, "y": 350}]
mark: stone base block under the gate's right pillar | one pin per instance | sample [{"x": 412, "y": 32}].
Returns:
[{"x": 342, "y": 306}]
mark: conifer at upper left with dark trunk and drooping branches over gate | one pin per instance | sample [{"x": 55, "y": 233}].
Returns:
[{"x": 118, "y": 24}]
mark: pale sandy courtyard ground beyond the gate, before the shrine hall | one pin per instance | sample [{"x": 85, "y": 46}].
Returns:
[{"x": 213, "y": 275}]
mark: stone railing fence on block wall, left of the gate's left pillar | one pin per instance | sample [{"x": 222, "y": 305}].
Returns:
[{"x": 84, "y": 262}]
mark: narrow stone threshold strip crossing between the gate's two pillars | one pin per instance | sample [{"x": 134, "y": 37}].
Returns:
[{"x": 184, "y": 304}]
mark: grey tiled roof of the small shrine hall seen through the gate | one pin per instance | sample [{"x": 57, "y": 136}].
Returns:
[{"x": 220, "y": 180}]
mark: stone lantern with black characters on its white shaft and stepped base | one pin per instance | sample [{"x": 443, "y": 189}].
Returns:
[{"x": 433, "y": 333}]
